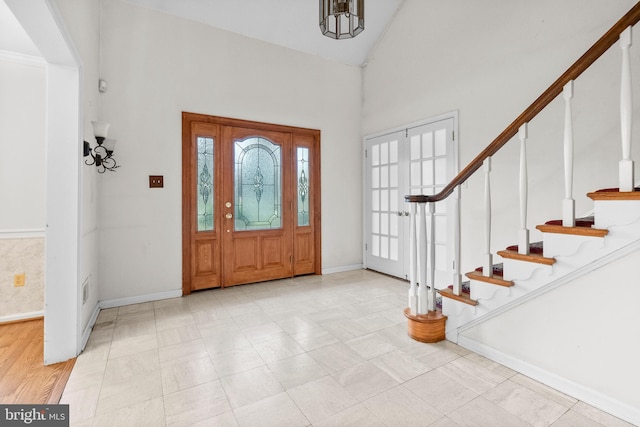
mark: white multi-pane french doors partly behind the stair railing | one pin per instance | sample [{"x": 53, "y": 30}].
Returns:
[{"x": 420, "y": 159}]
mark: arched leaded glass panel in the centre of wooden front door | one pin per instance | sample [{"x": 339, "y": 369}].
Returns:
[{"x": 258, "y": 188}]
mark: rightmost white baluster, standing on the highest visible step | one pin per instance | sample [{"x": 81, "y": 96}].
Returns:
[{"x": 626, "y": 108}]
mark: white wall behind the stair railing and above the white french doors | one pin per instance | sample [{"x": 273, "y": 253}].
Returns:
[{"x": 493, "y": 63}]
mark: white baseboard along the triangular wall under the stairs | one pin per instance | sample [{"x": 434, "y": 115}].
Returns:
[{"x": 587, "y": 395}]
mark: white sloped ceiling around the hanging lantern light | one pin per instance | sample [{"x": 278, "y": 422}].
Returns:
[{"x": 290, "y": 23}]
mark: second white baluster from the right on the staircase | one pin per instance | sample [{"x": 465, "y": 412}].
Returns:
[{"x": 568, "y": 204}]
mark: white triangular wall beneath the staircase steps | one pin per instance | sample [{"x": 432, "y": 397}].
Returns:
[{"x": 580, "y": 338}]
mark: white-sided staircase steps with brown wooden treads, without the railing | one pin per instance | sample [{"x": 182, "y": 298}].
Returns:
[{"x": 563, "y": 252}]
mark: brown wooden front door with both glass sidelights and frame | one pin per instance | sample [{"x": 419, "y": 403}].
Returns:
[{"x": 251, "y": 202}]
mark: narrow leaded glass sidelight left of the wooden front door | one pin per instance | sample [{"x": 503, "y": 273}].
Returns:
[{"x": 205, "y": 183}]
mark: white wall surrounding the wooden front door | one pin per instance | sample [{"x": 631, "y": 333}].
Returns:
[{"x": 157, "y": 66}]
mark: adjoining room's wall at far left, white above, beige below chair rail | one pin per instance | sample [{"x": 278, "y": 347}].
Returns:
[{"x": 22, "y": 183}]
